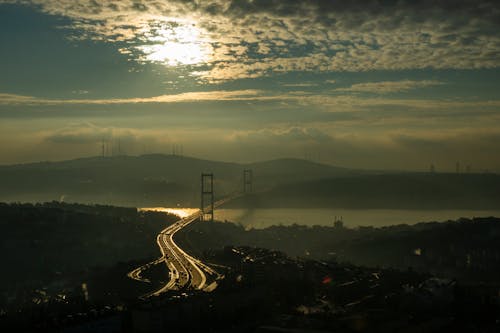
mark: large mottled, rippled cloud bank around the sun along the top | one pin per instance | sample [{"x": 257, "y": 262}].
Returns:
[{"x": 255, "y": 38}]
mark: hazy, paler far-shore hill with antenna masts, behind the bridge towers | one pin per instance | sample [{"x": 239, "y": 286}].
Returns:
[{"x": 145, "y": 180}]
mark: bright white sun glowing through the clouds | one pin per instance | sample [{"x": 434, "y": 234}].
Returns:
[{"x": 176, "y": 45}]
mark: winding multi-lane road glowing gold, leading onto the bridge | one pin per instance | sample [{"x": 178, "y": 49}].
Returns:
[{"x": 185, "y": 272}]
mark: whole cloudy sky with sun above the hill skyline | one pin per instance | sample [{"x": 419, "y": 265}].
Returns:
[{"x": 365, "y": 84}]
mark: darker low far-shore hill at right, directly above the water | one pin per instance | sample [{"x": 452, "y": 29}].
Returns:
[{"x": 402, "y": 190}]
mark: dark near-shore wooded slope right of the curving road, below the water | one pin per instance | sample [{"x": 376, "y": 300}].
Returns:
[{"x": 466, "y": 249}]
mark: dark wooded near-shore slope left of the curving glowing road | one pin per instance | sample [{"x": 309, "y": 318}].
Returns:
[{"x": 70, "y": 238}]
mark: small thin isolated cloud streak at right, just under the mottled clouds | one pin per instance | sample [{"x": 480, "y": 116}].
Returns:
[{"x": 385, "y": 87}]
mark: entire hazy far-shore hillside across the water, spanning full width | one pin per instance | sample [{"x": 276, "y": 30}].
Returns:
[{"x": 167, "y": 180}]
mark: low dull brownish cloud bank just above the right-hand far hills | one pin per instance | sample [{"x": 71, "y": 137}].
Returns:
[{"x": 413, "y": 149}]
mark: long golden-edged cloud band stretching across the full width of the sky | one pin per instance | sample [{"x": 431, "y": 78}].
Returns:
[{"x": 316, "y": 103}]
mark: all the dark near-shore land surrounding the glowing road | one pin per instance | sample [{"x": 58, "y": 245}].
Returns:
[{"x": 65, "y": 266}]
